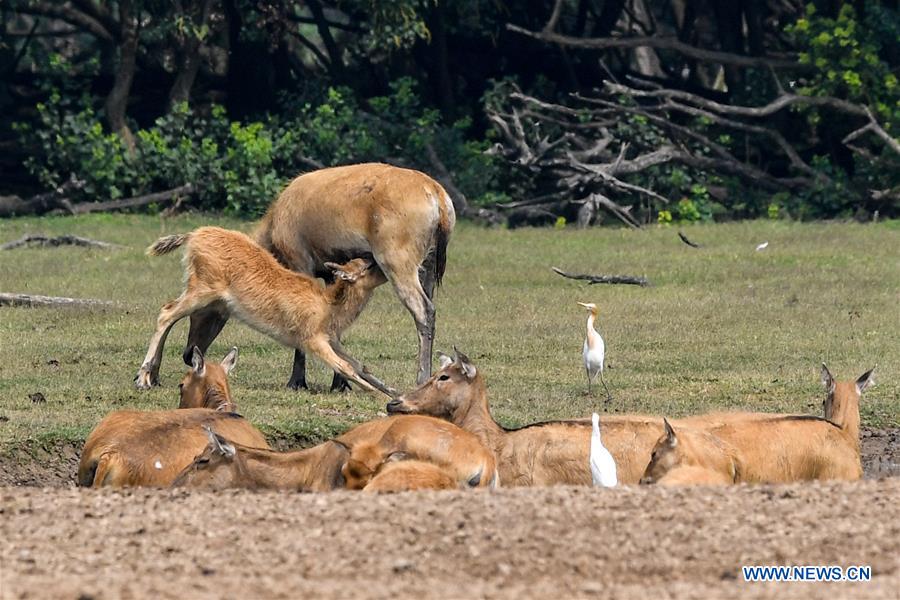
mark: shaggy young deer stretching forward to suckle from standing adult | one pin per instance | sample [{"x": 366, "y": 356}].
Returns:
[{"x": 228, "y": 268}]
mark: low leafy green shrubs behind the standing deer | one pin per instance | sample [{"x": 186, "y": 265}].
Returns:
[{"x": 240, "y": 167}]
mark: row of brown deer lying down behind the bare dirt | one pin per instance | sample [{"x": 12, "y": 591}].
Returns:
[{"x": 442, "y": 436}]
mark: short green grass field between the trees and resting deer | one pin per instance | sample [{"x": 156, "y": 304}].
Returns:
[{"x": 721, "y": 327}]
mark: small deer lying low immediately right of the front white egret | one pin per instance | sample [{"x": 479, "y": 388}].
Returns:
[{"x": 696, "y": 456}]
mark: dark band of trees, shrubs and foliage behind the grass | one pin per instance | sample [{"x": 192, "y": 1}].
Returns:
[{"x": 236, "y": 97}]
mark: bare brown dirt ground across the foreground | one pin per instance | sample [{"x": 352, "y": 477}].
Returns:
[{"x": 564, "y": 542}]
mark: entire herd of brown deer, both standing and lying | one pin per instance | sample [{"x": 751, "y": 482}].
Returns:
[{"x": 394, "y": 225}]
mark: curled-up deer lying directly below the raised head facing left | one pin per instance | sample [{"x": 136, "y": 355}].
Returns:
[{"x": 454, "y": 450}]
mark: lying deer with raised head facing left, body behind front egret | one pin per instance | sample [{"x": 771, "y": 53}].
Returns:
[{"x": 551, "y": 453}]
